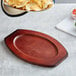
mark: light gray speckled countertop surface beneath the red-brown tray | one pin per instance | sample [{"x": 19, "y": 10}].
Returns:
[{"x": 44, "y": 22}]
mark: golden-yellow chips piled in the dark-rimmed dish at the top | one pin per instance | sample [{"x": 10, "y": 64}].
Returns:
[{"x": 30, "y": 5}]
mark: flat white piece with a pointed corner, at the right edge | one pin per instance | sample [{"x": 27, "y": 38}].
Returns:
[{"x": 67, "y": 25}]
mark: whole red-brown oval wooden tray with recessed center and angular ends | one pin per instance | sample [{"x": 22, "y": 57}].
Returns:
[{"x": 36, "y": 47}]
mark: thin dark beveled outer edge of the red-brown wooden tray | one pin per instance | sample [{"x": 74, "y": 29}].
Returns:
[{"x": 32, "y": 62}]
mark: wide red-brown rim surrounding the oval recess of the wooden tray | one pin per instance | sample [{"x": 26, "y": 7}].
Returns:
[{"x": 53, "y": 62}]
